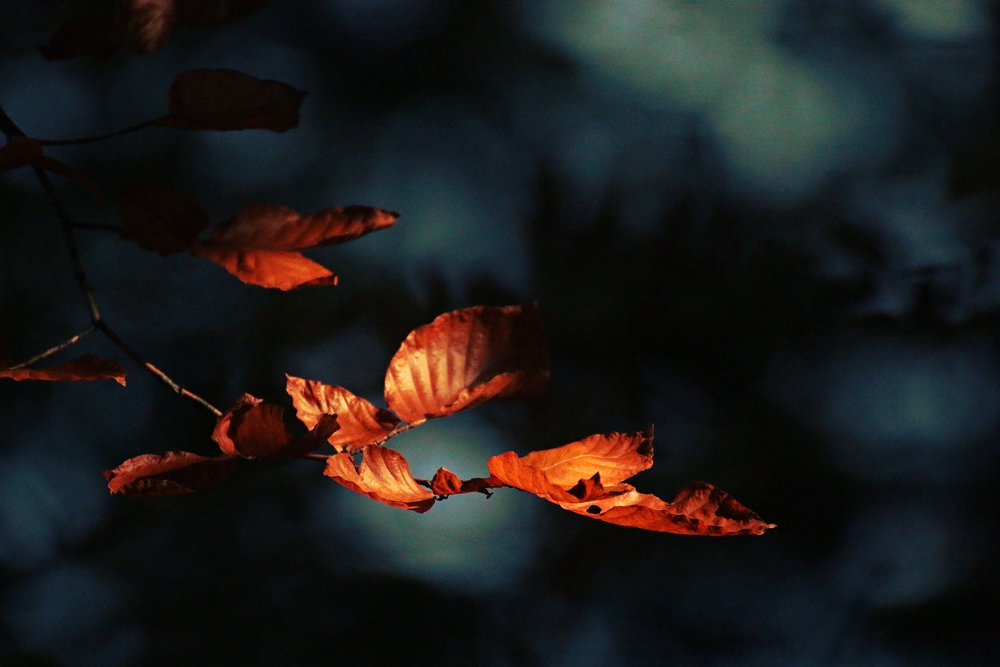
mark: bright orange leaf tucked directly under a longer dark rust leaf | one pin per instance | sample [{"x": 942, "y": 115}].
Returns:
[{"x": 279, "y": 269}]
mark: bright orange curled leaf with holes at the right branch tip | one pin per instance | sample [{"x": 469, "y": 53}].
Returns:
[{"x": 699, "y": 509}]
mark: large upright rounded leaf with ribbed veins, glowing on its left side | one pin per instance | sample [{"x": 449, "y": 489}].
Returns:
[{"x": 468, "y": 357}]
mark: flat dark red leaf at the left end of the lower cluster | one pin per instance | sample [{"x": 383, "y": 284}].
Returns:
[{"x": 170, "y": 474}]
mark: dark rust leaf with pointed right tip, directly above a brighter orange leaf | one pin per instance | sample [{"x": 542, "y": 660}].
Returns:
[{"x": 276, "y": 227}]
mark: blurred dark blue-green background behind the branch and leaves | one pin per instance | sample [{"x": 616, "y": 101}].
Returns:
[{"x": 768, "y": 227}]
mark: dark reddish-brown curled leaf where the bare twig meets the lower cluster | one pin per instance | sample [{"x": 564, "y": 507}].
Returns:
[{"x": 254, "y": 429}]
